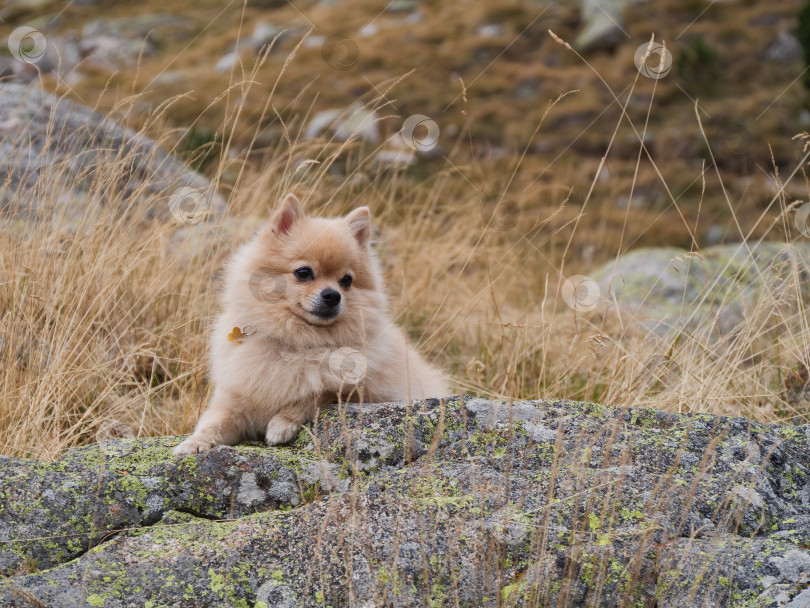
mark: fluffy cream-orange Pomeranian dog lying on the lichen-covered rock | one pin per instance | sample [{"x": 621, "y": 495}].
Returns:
[{"x": 304, "y": 323}]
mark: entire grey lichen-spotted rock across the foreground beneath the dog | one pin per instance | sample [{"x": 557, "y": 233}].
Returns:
[{"x": 465, "y": 503}]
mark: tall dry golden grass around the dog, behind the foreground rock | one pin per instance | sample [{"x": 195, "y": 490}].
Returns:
[{"x": 102, "y": 325}]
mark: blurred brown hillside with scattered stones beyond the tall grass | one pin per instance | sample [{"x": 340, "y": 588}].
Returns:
[{"x": 205, "y": 71}]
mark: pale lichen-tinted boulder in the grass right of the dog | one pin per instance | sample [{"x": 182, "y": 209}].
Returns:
[{"x": 667, "y": 289}]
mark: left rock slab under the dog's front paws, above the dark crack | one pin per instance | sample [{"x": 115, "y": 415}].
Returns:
[{"x": 71, "y": 504}]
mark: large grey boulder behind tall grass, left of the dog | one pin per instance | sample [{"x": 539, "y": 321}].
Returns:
[{"x": 61, "y": 161}]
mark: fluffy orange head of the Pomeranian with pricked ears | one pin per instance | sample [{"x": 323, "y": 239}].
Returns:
[{"x": 313, "y": 268}]
